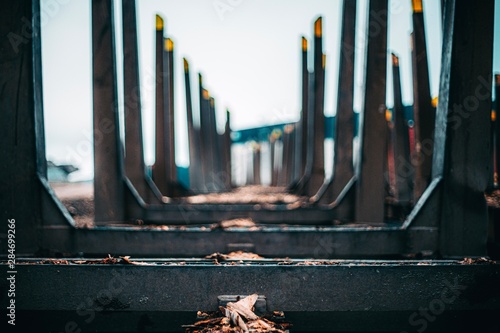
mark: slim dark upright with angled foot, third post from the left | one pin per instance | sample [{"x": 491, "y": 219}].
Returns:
[{"x": 135, "y": 168}]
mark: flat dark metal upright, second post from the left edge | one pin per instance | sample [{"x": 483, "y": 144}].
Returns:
[{"x": 108, "y": 154}]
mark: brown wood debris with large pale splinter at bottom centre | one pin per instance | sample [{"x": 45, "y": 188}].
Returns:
[{"x": 238, "y": 317}]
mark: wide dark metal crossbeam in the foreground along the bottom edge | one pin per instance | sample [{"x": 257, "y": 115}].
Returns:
[{"x": 131, "y": 298}]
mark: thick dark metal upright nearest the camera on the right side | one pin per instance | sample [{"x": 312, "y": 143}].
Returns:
[{"x": 463, "y": 116}]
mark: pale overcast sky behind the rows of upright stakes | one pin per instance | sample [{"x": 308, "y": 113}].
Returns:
[{"x": 247, "y": 50}]
